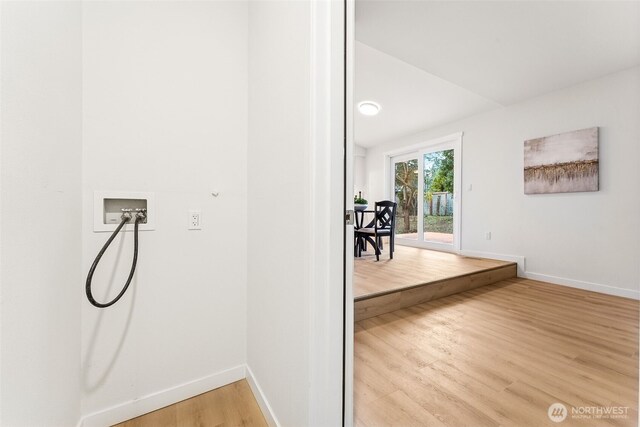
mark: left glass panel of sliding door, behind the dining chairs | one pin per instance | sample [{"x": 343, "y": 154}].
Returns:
[{"x": 405, "y": 187}]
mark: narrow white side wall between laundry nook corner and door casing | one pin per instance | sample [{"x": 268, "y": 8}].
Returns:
[{"x": 278, "y": 333}]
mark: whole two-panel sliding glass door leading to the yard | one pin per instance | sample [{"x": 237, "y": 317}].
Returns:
[{"x": 425, "y": 185}]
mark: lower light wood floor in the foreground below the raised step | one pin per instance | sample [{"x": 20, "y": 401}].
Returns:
[{"x": 498, "y": 356}]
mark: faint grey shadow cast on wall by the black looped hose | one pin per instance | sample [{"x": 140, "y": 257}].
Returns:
[{"x": 87, "y": 363}]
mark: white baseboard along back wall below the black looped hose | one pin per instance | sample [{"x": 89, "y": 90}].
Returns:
[{"x": 151, "y": 402}]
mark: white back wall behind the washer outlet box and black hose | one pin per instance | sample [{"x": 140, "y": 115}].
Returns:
[{"x": 165, "y": 111}]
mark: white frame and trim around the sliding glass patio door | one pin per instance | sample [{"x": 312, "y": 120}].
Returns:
[{"x": 453, "y": 141}]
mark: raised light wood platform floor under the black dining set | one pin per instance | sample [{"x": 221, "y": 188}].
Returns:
[{"x": 411, "y": 267}]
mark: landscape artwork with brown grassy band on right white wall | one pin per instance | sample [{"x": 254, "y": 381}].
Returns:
[{"x": 563, "y": 163}]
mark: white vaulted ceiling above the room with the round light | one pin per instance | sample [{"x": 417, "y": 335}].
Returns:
[{"x": 432, "y": 62}]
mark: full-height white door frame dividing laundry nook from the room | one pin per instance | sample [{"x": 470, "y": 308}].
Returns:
[{"x": 330, "y": 267}]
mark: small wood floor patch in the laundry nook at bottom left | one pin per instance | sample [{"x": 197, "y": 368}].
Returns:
[{"x": 231, "y": 405}]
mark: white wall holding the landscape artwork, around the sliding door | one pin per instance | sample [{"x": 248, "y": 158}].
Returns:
[{"x": 589, "y": 240}]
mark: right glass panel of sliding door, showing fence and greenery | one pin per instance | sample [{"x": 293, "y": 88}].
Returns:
[{"x": 438, "y": 203}]
